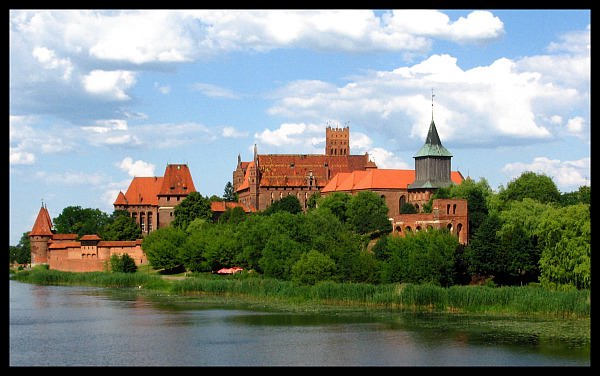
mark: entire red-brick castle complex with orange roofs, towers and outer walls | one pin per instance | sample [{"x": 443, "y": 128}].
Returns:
[{"x": 151, "y": 201}]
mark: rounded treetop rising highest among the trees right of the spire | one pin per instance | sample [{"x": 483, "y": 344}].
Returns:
[{"x": 536, "y": 186}]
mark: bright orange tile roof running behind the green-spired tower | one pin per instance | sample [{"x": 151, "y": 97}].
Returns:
[{"x": 377, "y": 179}]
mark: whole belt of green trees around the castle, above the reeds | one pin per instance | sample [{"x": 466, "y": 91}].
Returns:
[{"x": 527, "y": 232}]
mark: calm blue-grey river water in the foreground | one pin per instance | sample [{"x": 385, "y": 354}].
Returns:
[{"x": 78, "y": 326}]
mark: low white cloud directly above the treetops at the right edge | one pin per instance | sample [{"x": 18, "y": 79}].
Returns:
[{"x": 568, "y": 175}]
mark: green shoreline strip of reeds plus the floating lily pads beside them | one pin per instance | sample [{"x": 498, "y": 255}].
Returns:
[{"x": 526, "y": 312}]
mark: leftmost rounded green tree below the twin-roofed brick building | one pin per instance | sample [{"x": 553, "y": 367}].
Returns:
[{"x": 163, "y": 248}]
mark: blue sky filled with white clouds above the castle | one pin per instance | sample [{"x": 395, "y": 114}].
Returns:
[{"x": 99, "y": 97}]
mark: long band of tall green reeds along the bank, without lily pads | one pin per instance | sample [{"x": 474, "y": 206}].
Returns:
[{"x": 526, "y": 300}]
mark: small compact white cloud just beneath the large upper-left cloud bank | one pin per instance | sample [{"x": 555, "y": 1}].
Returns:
[{"x": 109, "y": 84}]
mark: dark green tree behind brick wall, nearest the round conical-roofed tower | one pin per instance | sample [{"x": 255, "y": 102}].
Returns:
[{"x": 76, "y": 220}]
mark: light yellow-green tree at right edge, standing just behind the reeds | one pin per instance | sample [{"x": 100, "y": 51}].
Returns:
[{"x": 565, "y": 241}]
